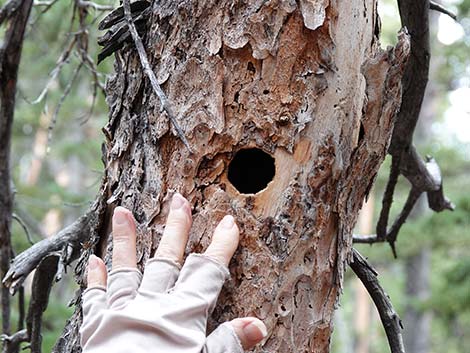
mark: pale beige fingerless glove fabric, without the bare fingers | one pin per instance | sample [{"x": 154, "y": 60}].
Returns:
[{"x": 163, "y": 311}]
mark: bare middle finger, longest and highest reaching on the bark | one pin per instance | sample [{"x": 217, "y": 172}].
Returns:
[{"x": 175, "y": 235}]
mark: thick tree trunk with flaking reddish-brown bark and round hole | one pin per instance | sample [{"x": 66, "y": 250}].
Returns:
[{"x": 300, "y": 87}]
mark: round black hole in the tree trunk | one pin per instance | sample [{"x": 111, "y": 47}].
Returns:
[{"x": 251, "y": 170}]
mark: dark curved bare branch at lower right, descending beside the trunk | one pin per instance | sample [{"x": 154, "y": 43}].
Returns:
[{"x": 389, "y": 317}]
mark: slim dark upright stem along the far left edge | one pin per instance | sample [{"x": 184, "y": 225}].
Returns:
[{"x": 10, "y": 53}]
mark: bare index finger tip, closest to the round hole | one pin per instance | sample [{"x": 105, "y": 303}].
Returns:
[{"x": 224, "y": 241}]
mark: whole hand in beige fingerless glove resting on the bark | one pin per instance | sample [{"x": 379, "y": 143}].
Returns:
[{"x": 165, "y": 310}]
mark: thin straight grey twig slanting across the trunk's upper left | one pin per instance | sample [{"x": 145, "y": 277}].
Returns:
[{"x": 165, "y": 104}]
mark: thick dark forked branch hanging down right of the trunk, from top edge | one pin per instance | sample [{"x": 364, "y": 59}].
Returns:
[{"x": 425, "y": 177}]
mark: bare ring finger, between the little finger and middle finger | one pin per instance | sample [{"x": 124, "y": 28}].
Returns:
[{"x": 124, "y": 253}]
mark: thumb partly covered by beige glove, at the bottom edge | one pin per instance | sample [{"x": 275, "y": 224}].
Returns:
[{"x": 236, "y": 336}]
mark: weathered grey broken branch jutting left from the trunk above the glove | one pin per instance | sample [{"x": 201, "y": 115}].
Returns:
[{"x": 73, "y": 235}]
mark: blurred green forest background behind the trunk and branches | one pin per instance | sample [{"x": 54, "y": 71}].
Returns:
[{"x": 56, "y": 161}]
